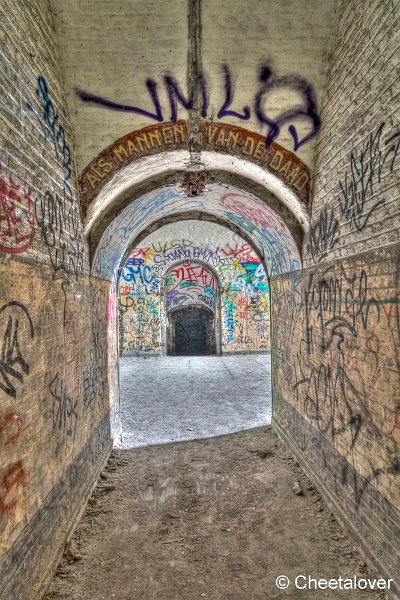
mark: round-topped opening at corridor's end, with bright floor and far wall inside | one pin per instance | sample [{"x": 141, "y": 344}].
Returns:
[{"x": 194, "y": 299}]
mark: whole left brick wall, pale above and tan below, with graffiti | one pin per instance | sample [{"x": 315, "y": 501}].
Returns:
[{"x": 54, "y": 426}]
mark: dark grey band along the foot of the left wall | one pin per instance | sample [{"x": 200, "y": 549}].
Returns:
[{"x": 26, "y": 568}]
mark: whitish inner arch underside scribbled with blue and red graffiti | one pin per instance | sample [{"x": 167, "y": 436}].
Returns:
[{"x": 239, "y": 210}]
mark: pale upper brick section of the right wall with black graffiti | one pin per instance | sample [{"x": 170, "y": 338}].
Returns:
[{"x": 356, "y": 193}]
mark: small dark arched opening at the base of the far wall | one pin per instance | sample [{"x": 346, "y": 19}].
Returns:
[{"x": 191, "y": 332}]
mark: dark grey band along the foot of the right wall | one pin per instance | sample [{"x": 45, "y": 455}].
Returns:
[{"x": 331, "y": 473}]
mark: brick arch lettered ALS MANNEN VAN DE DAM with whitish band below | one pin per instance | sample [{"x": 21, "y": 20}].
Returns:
[{"x": 159, "y": 155}]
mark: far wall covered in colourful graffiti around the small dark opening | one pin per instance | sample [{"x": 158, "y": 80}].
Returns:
[{"x": 172, "y": 251}]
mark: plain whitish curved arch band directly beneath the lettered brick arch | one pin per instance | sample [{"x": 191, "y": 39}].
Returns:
[{"x": 140, "y": 177}]
